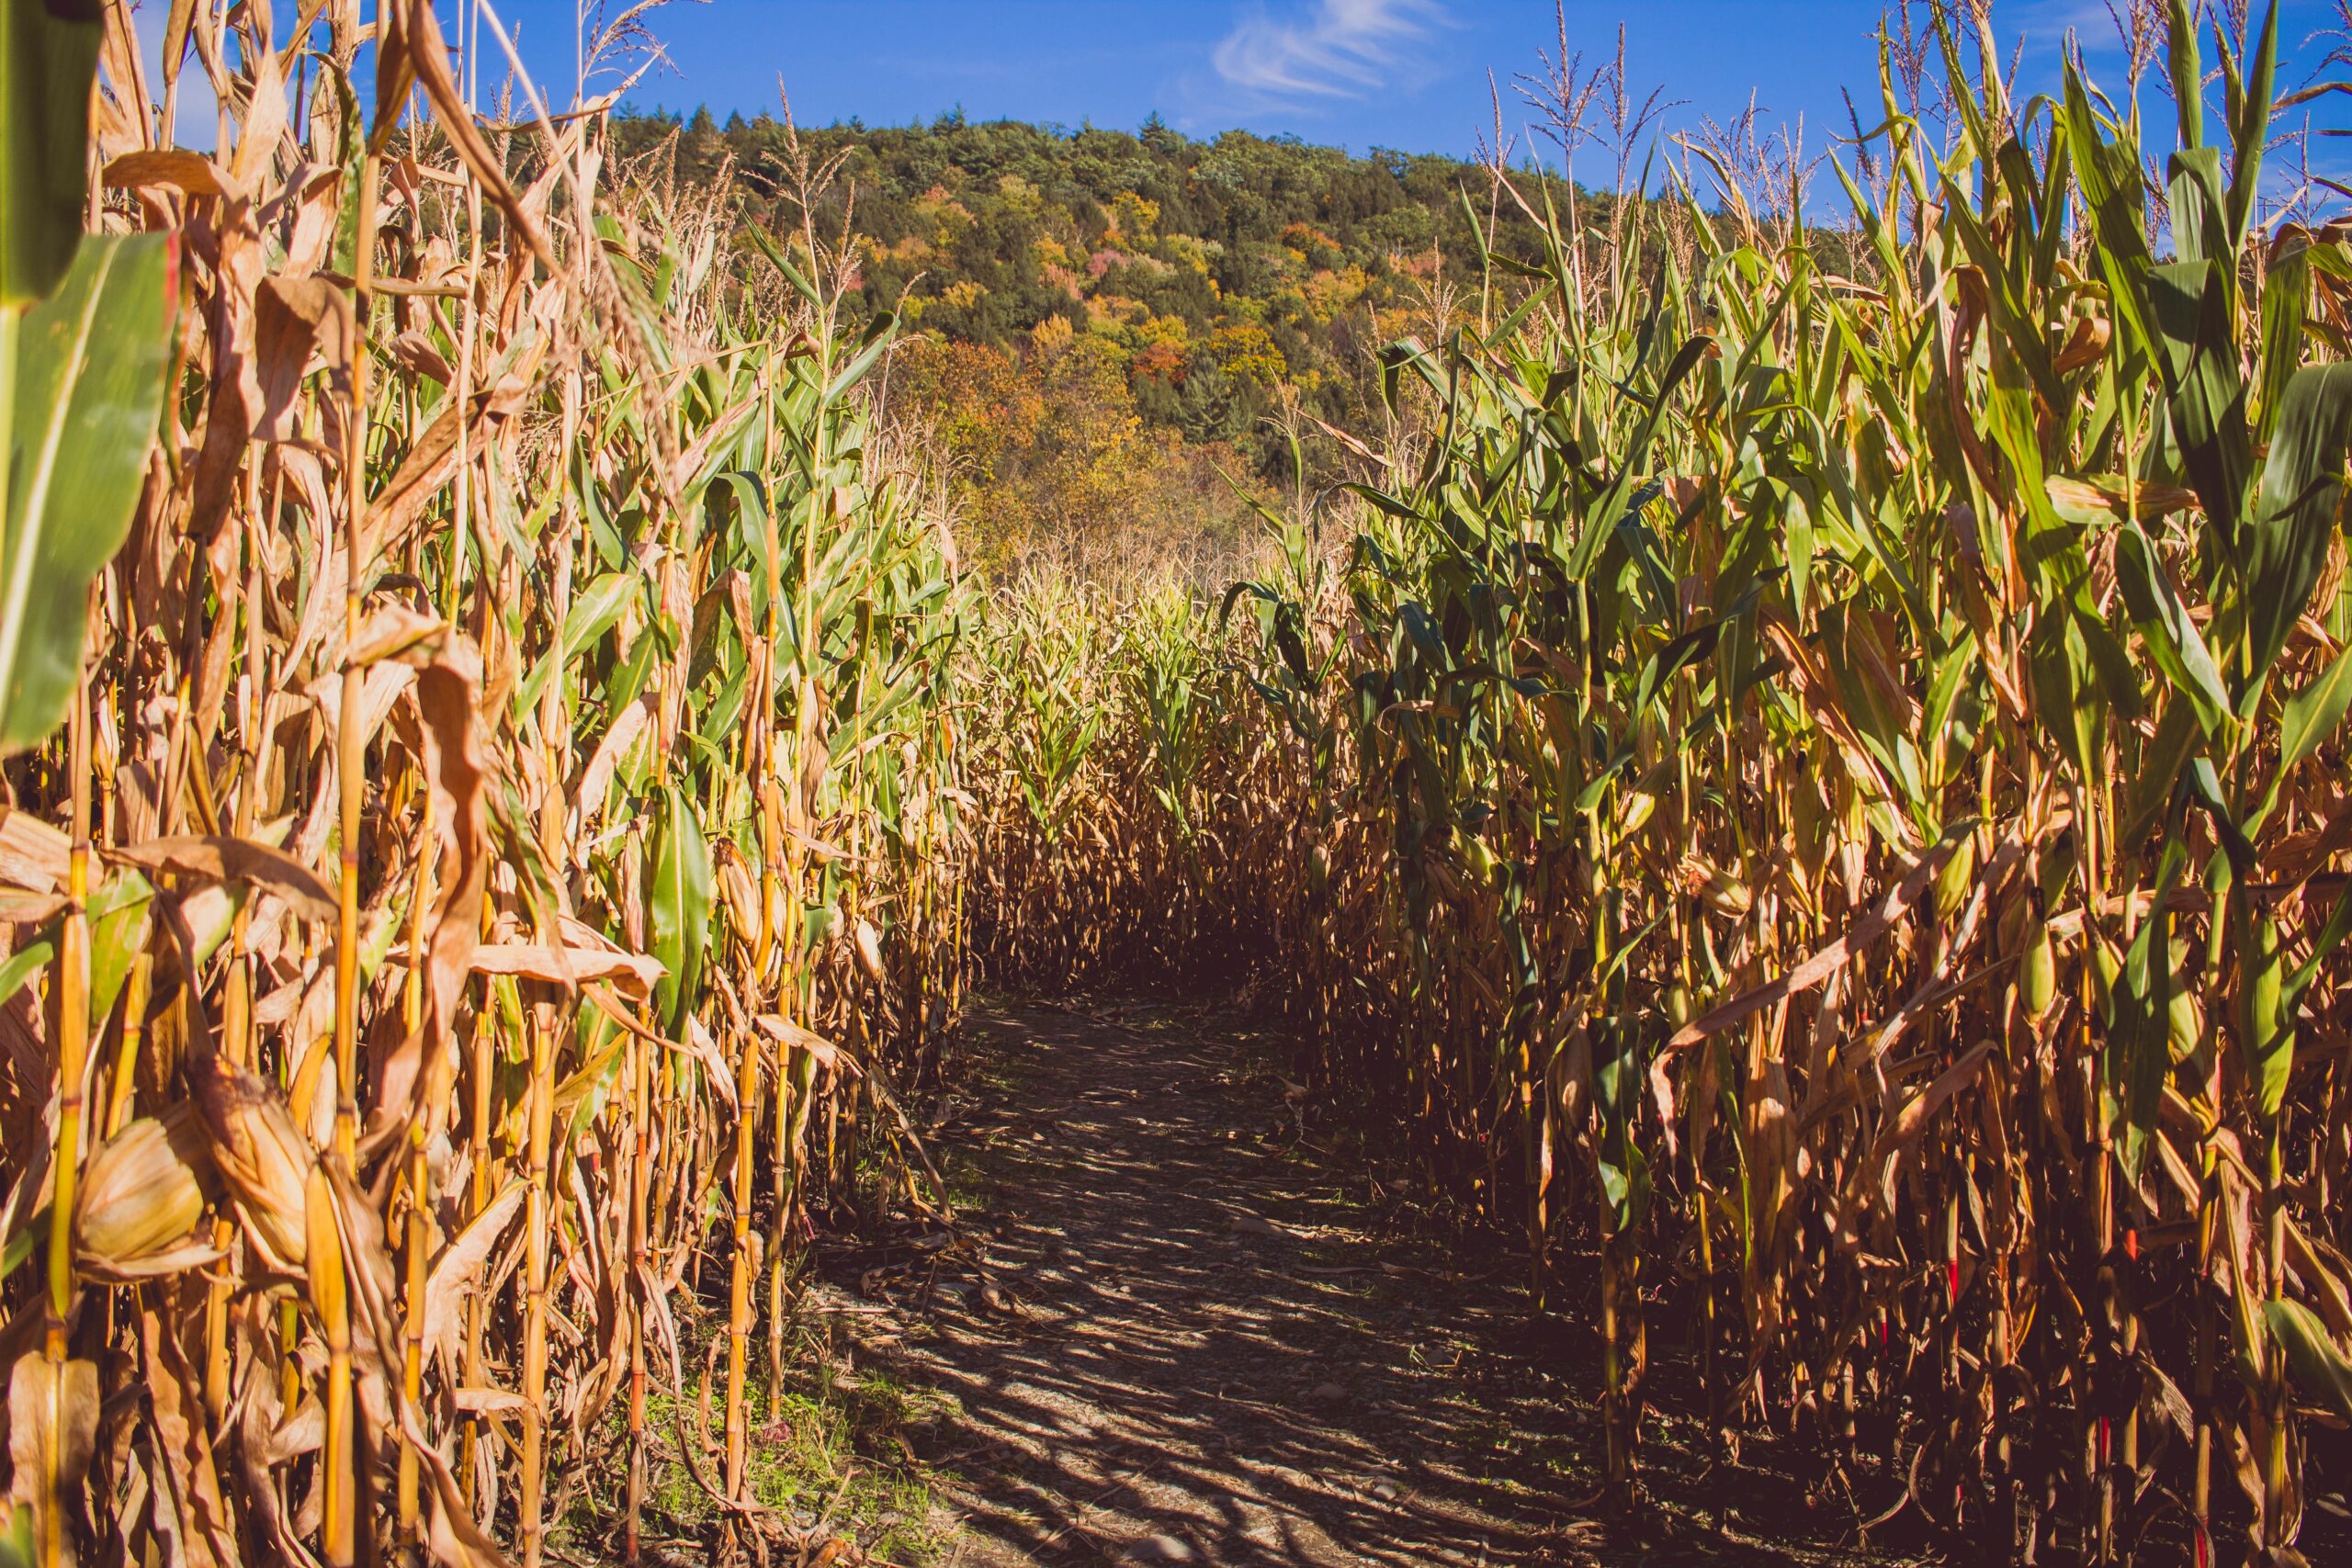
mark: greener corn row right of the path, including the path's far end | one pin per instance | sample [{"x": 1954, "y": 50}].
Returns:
[{"x": 1808, "y": 777}]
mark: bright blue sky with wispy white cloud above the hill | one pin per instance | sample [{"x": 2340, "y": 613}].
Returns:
[{"x": 1361, "y": 74}]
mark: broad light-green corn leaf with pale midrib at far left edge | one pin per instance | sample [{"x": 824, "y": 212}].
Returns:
[{"x": 91, "y": 382}]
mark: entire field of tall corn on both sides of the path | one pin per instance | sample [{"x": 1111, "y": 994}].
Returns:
[{"x": 1803, "y": 779}]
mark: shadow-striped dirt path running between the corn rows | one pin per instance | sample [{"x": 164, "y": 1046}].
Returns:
[{"x": 1168, "y": 1336}]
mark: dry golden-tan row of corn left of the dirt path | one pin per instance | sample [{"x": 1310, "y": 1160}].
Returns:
[{"x": 493, "y": 862}]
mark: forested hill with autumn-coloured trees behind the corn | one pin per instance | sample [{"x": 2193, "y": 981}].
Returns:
[{"x": 1104, "y": 314}]
